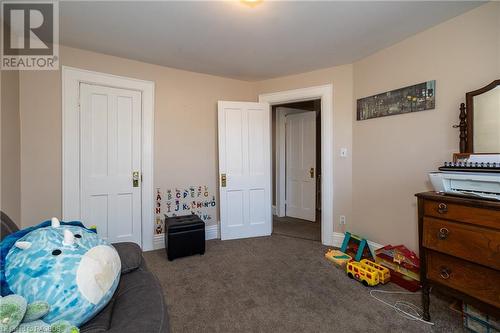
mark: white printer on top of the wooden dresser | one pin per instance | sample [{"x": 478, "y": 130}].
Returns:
[{"x": 475, "y": 177}]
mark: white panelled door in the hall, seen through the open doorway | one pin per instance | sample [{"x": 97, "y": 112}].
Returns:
[{"x": 301, "y": 165}]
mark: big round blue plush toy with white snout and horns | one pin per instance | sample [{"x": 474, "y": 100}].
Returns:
[{"x": 64, "y": 264}]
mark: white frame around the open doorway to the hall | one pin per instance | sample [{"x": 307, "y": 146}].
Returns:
[{"x": 325, "y": 93}]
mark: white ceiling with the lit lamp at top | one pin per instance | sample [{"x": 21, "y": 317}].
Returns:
[{"x": 228, "y": 38}]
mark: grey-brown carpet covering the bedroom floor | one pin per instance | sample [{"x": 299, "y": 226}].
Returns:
[{"x": 277, "y": 284}]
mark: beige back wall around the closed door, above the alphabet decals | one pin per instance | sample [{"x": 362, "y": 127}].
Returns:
[{"x": 185, "y": 126}]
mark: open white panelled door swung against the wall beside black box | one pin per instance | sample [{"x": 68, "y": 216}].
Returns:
[{"x": 244, "y": 169}]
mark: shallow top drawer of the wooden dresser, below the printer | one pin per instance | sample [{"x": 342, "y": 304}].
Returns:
[{"x": 451, "y": 211}]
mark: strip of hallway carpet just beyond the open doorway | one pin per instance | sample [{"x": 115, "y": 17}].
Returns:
[{"x": 292, "y": 227}]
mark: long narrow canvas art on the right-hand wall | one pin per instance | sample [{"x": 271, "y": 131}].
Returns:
[{"x": 419, "y": 97}]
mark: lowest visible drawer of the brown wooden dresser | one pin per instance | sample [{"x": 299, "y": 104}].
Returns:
[{"x": 474, "y": 280}]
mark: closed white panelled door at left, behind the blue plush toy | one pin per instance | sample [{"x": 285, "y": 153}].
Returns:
[{"x": 110, "y": 162}]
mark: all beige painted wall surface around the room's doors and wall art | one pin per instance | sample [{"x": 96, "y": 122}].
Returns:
[{"x": 388, "y": 157}]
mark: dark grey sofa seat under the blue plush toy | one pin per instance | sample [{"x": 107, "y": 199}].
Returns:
[{"x": 136, "y": 306}]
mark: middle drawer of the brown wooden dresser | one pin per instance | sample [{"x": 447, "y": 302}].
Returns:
[{"x": 477, "y": 244}]
